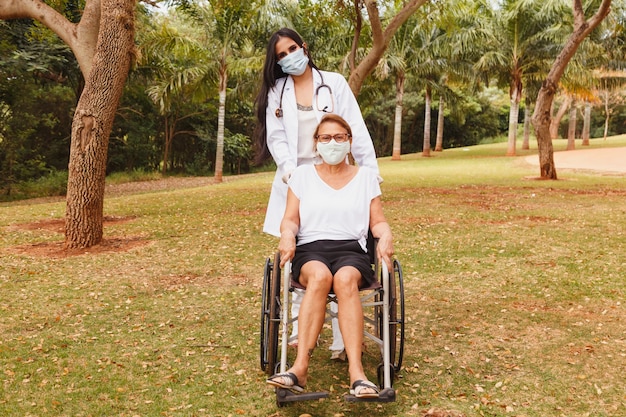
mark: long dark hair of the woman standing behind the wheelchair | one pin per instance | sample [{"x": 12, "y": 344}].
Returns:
[{"x": 271, "y": 73}]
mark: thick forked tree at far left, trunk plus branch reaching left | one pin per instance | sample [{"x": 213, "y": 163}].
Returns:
[{"x": 103, "y": 43}]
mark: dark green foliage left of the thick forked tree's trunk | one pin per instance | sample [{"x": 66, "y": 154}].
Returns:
[{"x": 36, "y": 99}]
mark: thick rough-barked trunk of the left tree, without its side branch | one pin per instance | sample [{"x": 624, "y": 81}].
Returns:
[{"x": 93, "y": 121}]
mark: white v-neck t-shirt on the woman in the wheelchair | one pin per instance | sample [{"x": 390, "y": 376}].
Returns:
[{"x": 326, "y": 213}]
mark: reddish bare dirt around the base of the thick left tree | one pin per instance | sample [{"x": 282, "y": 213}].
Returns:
[{"x": 57, "y": 249}]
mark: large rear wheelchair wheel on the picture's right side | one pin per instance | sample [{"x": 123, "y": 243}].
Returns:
[{"x": 396, "y": 319}]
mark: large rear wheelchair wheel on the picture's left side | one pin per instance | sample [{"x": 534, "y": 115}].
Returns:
[{"x": 270, "y": 315}]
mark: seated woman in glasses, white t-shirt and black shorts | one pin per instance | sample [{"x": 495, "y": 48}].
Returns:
[{"x": 330, "y": 208}]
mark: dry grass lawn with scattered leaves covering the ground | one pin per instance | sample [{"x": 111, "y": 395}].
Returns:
[{"x": 514, "y": 292}]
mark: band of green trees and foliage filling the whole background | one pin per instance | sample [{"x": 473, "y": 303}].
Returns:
[{"x": 171, "y": 93}]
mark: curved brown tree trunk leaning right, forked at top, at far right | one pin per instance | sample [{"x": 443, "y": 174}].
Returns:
[{"x": 541, "y": 117}]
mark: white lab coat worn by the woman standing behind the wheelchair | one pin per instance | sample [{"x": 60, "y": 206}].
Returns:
[{"x": 282, "y": 134}]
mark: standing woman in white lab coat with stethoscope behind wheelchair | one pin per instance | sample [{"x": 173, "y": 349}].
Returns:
[{"x": 293, "y": 98}]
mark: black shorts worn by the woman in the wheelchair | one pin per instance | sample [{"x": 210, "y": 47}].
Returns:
[{"x": 334, "y": 254}]
